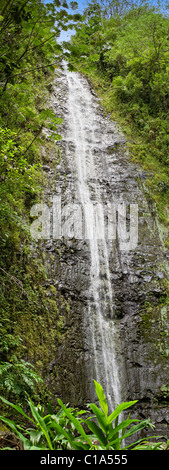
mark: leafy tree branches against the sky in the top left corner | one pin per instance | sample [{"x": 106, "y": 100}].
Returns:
[{"x": 28, "y": 31}]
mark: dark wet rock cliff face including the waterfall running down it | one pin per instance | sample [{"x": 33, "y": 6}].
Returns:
[{"x": 129, "y": 290}]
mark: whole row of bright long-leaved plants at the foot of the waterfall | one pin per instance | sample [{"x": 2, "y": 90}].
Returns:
[{"x": 65, "y": 429}]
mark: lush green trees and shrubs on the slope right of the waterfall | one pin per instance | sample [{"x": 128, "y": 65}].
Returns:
[{"x": 123, "y": 48}]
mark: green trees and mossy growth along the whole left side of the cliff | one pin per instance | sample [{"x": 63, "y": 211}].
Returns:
[{"x": 29, "y": 55}]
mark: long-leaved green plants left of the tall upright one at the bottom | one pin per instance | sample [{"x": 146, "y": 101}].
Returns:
[{"x": 51, "y": 431}]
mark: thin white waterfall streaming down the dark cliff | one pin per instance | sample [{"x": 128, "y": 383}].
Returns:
[{"x": 82, "y": 132}]
